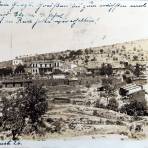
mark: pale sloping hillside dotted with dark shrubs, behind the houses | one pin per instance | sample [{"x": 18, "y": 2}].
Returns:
[{"x": 134, "y": 51}]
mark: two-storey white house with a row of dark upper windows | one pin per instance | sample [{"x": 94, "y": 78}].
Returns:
[{"x": 45, "y": 66}]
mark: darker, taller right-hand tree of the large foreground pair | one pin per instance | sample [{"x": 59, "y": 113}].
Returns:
[{"x": 35, "y": 102}]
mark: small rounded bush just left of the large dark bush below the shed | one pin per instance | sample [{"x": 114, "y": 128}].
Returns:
[{"x": 113, "y": 104}]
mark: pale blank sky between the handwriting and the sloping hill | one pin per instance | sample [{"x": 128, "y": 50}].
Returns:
[{"x": 124, "y": 24}]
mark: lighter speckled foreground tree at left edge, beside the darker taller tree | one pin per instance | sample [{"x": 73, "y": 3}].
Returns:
[{"x": 13, "y": 117}]
